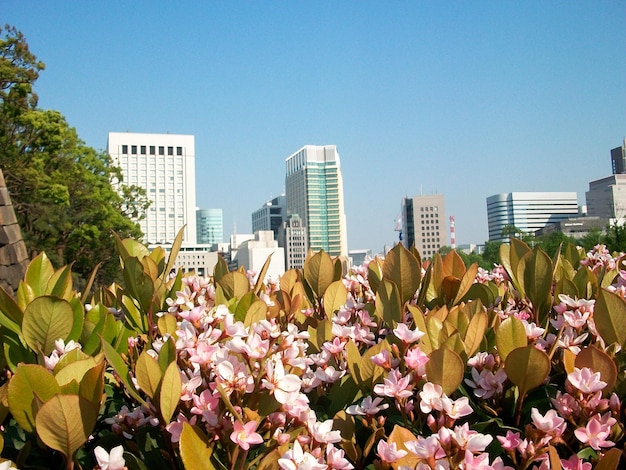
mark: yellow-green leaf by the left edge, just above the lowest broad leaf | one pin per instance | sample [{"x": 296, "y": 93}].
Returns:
[{"x": 30, "y": 386}]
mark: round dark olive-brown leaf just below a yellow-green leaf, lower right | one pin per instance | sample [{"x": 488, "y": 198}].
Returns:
[{"x": 527, "y": 367}]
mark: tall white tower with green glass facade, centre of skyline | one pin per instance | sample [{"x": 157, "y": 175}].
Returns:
[{"x": 314, "y": 191}]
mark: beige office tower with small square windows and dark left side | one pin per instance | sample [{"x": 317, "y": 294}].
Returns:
[{"x": 424, "y": 223}]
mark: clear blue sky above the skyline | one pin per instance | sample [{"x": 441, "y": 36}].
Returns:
[{"x": 465, "y": 99}]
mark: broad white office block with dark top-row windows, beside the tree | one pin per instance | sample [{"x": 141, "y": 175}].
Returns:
[{"x": 162, "y": 164}]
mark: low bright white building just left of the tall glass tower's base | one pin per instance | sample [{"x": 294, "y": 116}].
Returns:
[{"x": 252, "y": 254}]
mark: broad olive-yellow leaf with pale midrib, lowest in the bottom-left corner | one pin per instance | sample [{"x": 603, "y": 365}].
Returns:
[{"x": 65, "y": 422}]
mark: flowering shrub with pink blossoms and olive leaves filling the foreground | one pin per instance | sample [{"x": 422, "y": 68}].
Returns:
[{"x": 400, "y": 363}]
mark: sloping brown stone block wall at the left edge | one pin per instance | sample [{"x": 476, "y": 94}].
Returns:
[{"x": 13, "y": 254}]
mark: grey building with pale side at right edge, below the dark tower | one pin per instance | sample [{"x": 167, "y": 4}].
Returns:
[{"x": 607, "y": 197}]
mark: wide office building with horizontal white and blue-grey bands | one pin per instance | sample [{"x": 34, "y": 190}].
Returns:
[{"x": 528, "y": 212}]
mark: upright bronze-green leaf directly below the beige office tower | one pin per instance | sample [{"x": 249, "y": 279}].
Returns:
[{"x": 403, "y": 269}]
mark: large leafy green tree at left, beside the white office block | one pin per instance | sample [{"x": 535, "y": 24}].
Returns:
[{"x": 61, "y": 189}]
